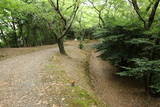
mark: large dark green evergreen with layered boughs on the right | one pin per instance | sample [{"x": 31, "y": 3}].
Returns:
[{"x": 135, "y": 51}]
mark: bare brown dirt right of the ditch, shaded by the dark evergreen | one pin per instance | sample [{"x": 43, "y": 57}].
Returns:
[{"x": 116, "y": 91}]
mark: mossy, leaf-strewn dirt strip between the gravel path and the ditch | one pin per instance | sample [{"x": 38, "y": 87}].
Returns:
[{"x": 66, "y": 71}]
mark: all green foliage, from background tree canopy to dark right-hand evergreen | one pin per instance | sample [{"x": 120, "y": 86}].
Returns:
[{"x": 125, "y": 42}]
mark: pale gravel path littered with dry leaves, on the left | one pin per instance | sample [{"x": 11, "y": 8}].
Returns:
[{"x": 20, "y": 80}]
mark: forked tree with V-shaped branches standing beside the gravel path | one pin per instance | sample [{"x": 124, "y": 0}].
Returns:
[{"x": 63, "y": 23}]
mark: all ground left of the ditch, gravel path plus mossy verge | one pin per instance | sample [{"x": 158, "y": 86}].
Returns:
[{"x": 43, "y": 78}]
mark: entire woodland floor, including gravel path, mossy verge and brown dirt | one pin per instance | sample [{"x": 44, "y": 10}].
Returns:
[{"x": 41, "y": 77}]
